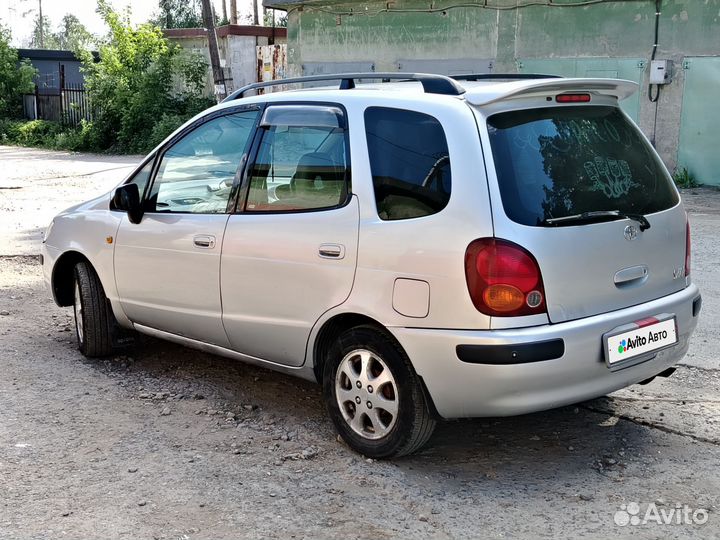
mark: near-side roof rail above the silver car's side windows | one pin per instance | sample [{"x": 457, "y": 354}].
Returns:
[{"x": 432, "y": 84}]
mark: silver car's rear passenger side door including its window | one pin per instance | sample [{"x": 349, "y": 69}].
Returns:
[{"x": 290, "y": 252}]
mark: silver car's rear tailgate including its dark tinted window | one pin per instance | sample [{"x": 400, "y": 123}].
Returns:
[{"x": 558, "y": 173}]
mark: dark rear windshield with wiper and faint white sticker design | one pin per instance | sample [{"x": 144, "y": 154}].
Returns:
[{"x": 561, "y": 161}]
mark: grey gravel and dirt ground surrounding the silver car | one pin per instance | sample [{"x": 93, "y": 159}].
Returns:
[{"x": 165, "y": 442}]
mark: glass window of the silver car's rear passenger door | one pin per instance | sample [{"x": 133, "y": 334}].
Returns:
[{"x": 299, "y": 168}]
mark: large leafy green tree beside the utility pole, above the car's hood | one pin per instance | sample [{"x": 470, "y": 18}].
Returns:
[{"x": 142, "y": 87}]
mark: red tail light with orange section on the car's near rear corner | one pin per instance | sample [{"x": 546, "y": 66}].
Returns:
[{"x": 503, "y": 279}]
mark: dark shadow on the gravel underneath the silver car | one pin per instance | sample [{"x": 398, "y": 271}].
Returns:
[{"x": 544, "y": 444}]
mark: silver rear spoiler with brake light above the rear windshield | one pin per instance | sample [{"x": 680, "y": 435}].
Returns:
[{"x": 486, "y": 94}]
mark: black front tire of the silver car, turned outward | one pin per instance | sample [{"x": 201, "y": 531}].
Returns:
[{"x": 93, "y": 317}]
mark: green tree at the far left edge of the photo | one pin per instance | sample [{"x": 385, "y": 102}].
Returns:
[{"x": 16, "y": 77}]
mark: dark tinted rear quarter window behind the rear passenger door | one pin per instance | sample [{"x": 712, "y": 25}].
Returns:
[{"x": 410, "y": 163}]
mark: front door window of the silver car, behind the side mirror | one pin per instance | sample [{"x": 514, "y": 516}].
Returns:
[{"x": 196, "y": 174}]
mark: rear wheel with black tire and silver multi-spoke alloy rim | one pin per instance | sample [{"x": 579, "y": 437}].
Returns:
[{"x": 385, "y": 416}]
